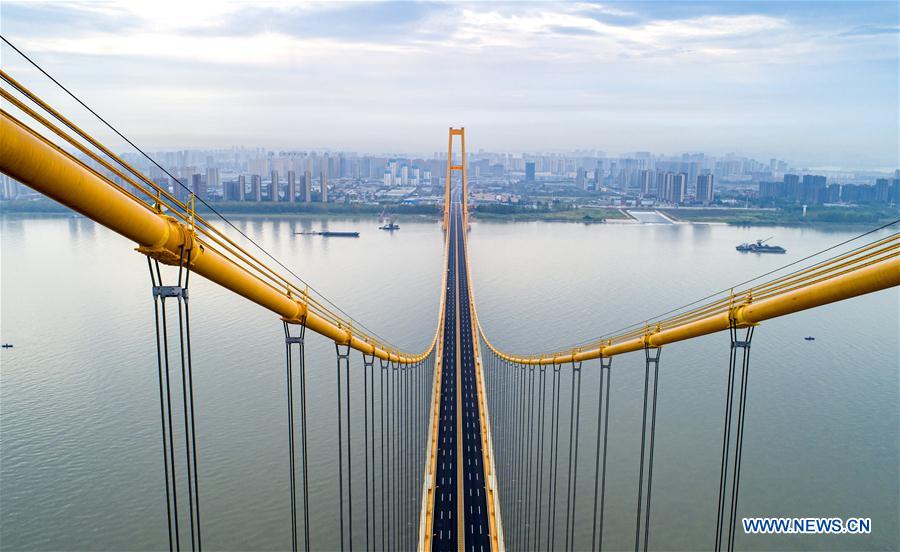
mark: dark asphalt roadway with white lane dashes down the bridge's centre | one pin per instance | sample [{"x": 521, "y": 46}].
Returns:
[{"x": 460, "y": 504}]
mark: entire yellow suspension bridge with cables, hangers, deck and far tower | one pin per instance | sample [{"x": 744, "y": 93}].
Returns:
[{"x": 462, "y": 446}]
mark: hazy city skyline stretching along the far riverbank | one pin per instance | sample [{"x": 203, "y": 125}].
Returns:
[{"x": 260, "y": 175}]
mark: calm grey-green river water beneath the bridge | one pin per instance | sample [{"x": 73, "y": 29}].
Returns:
[{"x": 80, "y": 448}]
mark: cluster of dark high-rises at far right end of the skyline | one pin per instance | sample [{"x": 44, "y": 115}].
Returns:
[{"x": 813, "y": 189}]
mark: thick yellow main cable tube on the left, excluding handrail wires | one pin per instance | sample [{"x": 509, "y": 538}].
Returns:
[{"x": 41, "y": 165}]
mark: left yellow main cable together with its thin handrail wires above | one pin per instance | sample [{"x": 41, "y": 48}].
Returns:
[{"x": 65, "y": 163}]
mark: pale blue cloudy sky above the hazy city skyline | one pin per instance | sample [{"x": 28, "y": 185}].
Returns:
[{"x": 813, "y": 83}]
